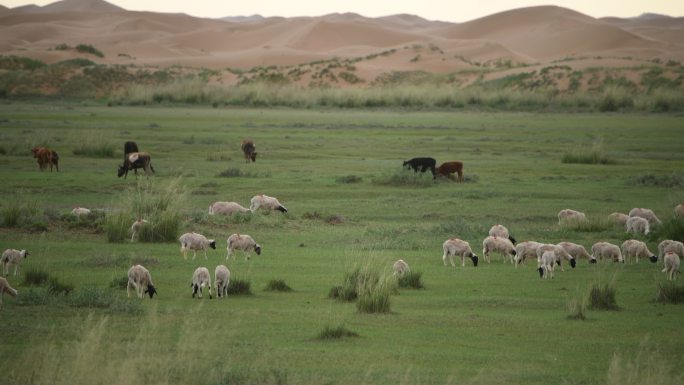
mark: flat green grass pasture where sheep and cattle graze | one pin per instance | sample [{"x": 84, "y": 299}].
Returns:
[{"x": 339, "y": 174}]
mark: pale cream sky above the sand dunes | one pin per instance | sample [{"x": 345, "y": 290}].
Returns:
[{"x": 445, "y": 10}]
